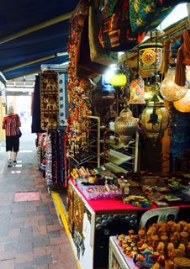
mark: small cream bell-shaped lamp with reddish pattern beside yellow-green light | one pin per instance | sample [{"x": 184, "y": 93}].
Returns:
[{"x": 137, "y": 91}]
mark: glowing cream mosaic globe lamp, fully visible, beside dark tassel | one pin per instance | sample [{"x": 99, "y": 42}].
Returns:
[{"x": 169, "y": 90}]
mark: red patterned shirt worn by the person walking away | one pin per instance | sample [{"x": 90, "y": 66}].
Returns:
[{"x": 11, "y": 124}]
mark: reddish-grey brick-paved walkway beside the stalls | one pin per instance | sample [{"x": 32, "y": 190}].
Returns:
[{"x": 31, "y": 236}]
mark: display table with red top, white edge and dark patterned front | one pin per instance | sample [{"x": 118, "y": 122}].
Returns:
[{"x": 92, "y": 222}]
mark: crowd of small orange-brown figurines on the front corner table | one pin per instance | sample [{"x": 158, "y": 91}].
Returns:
[{"x": 161, "y": 246}]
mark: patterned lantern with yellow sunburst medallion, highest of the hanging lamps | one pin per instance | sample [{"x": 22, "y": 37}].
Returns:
[{"x": 150, "y": 58}]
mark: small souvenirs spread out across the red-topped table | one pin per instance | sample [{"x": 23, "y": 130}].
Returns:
[{"x": 143, "y": 191}]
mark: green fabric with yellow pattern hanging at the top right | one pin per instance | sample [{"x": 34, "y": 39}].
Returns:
[{"x": 142, "y": 12}]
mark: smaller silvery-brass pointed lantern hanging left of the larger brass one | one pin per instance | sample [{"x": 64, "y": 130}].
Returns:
[{"x": 125, "y": 124}]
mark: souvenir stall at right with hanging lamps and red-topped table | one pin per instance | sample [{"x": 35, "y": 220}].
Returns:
[{"x": 136, "y": 134}]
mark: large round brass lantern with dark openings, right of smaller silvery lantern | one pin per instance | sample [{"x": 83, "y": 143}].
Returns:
[{"x": 154, "y": 118}]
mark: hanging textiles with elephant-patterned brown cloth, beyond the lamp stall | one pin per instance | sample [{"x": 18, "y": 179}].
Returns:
[{"x": 49, "y": 122}]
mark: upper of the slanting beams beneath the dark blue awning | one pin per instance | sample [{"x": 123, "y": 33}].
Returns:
[{"x": 35, "y": 28}]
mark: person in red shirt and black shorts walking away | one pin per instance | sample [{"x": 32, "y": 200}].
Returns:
[{"x": 11, "y": 125}]
